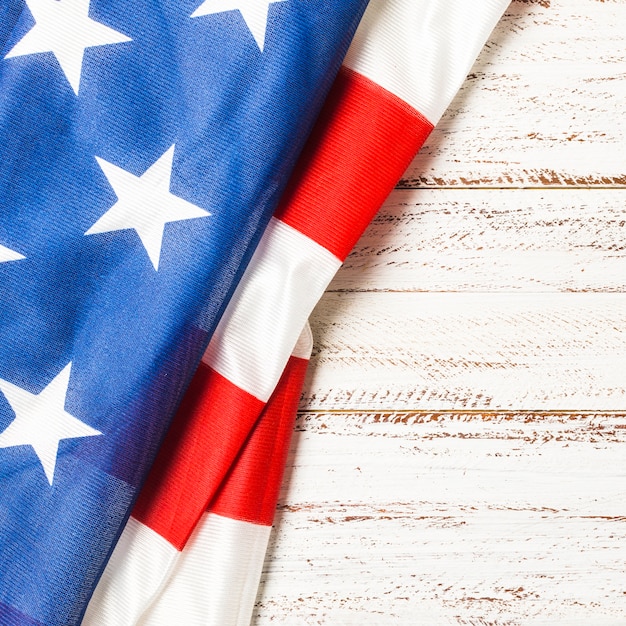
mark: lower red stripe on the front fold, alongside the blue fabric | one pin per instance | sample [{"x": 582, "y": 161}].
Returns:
[{"x": 208, "y": 431}]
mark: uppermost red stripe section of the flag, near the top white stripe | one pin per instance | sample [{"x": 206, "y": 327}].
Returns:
[{"x": 362, "y": 143}]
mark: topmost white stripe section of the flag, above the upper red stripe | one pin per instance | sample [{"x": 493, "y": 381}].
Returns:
[{"x": 422, "y": 50}]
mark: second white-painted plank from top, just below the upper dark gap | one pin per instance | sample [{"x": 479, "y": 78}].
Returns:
[{"x": 492, "y": 240}]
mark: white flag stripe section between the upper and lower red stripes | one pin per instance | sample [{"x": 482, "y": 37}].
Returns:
[{"x": 286, "y": 277}]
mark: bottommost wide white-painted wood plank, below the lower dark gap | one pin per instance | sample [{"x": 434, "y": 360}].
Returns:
[{"x": 450, "y": 519}]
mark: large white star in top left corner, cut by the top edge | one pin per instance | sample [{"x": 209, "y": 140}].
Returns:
[{"x": 64, "y": 28}]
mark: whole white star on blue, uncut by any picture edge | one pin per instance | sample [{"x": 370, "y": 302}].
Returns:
[{"x": 145, "y": 204}]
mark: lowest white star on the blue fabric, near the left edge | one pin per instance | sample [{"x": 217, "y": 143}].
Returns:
[{"x": 41, "y": 420}]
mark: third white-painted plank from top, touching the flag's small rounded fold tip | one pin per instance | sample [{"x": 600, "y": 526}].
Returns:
[{"x": 498, "y": 351}]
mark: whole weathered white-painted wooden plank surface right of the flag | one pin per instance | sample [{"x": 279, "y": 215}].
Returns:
[{"x": 460, "y": 455}]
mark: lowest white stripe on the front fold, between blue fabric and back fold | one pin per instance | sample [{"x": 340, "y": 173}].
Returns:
[{"x": 139, "y": 566}]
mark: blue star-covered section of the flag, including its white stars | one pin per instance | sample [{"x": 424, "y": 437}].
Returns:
[{"x": 144, "y": 147}]
